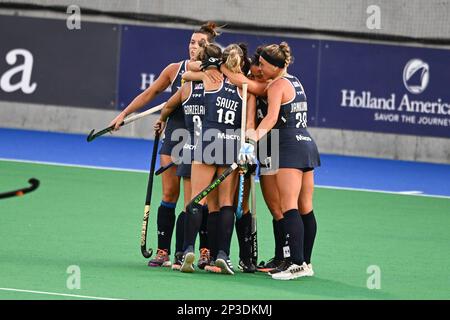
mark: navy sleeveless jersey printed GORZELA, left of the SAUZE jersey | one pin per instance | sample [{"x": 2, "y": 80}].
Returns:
[{"x": 194, "y": 108}]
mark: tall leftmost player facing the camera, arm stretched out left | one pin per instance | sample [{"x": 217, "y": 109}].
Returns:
[{"x": 170, "y": 76}]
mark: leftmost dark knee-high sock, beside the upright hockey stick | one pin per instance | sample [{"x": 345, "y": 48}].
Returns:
[{"x": 165, "y": 223}]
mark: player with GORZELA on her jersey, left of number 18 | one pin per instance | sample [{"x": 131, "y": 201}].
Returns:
[{"x": 190, "y": 99}]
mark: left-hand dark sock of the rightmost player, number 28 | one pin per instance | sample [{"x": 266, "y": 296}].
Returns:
[{"x": 294, "y": 234}]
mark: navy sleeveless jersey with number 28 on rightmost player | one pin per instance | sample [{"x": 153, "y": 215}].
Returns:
[{"x": 293, "y": 114}]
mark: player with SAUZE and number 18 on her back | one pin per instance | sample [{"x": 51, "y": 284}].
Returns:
[{"x": 220, "y": 145}]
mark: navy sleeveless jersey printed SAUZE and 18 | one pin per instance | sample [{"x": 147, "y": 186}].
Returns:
[{"x": 223, "y": 107}]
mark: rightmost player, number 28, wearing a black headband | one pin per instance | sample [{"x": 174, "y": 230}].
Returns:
[{"x": 297, "y": 157}]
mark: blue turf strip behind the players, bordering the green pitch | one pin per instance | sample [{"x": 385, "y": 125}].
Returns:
[{"x": 126, "y": 153}]
